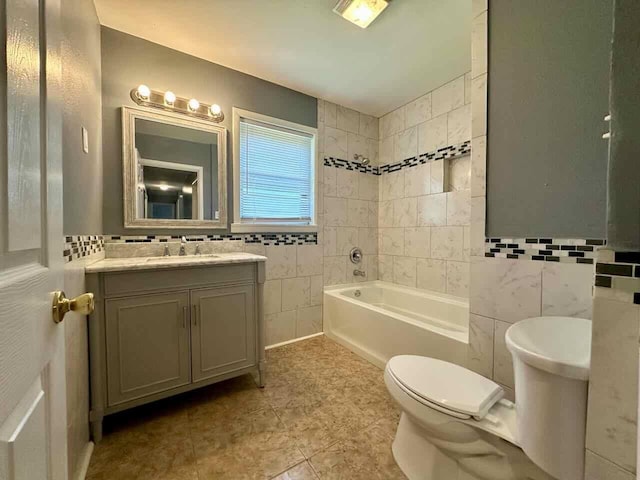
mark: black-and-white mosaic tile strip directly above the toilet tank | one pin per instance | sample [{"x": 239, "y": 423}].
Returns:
[{"x": 563, "y": 250}]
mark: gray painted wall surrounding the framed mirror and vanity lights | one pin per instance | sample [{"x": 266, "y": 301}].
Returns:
[{"x": 128, "y": 61}]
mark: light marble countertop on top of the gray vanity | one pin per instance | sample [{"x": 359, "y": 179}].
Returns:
[{"x": 161, "y": 263}]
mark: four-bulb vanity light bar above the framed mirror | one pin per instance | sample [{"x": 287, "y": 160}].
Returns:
[{"x": 169, "y": 101}]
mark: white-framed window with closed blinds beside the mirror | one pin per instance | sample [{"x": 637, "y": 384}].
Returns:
[{"x": 274, "y": 174}]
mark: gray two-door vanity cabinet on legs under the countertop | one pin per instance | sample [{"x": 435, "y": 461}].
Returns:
[{"x": 159, "y": 332}]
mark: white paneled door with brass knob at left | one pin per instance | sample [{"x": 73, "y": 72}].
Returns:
[{"x": 32, "y": 371}]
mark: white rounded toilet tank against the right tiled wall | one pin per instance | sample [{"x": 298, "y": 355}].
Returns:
[{"x": 551, "y": 366}]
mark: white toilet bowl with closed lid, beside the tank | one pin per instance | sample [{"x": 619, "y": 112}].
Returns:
[{"x": 455, "y": 425}]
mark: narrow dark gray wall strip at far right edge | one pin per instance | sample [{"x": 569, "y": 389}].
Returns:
[{"x": 623, "y": 219}]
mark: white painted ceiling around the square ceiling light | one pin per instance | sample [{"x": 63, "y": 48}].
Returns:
[{"x": 412, "y": 48}]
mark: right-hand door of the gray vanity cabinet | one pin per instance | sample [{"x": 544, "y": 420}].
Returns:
[{"x": 223, "y": 330}]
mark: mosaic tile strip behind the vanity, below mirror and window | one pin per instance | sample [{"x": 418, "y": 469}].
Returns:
[{"x": 250, "y": 238}]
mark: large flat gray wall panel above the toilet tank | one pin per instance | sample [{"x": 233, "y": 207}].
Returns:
[{"x": 548, "y": 94}]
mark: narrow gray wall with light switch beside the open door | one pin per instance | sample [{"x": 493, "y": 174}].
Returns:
[{"x": 82, "y": 107}]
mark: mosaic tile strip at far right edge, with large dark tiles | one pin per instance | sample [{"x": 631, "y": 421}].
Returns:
[{"x": 623, "y": 274}]
